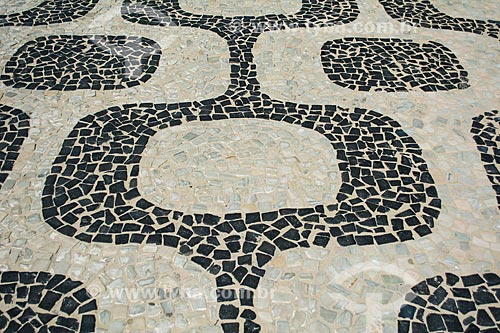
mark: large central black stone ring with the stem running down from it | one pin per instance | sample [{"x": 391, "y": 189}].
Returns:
[{"x": 387, "y": 193}]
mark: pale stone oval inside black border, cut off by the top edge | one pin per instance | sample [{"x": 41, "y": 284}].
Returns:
[{"x": 241, "y": 7}]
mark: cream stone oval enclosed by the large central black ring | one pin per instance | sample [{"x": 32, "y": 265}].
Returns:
[{"x": 238, "y": 165}]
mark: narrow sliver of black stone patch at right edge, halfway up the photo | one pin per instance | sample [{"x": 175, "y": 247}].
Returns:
[{"x": 486, "y": 130}]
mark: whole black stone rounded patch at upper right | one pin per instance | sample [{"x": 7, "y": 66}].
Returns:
[{"x": 388, "y": 64}]
